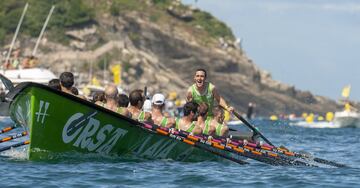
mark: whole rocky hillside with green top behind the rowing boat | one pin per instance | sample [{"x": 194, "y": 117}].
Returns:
[{"x": 159, "y": 44}]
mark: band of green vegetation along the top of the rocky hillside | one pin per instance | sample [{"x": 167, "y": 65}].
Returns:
[{"x": 77, "y": 13}]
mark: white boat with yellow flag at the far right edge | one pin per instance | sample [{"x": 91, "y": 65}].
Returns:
[{"x": 349, "y": 117}]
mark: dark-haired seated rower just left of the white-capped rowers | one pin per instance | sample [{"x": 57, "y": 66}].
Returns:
[{"x": 137, "y": 99}]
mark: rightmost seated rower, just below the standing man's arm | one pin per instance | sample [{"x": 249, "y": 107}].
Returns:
[{"x": 217, "y": 123}]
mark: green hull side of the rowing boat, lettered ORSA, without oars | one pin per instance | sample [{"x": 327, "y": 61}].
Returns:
[{"x": 60, "y": 123}]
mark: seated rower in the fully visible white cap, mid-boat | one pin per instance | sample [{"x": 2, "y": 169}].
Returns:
[{"x": 158, "y": 104}]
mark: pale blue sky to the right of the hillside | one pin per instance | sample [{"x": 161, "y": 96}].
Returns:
[{"x": 311, "y": 44}]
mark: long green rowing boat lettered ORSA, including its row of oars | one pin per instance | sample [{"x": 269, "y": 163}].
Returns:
[{"x": 59, "y": 123}]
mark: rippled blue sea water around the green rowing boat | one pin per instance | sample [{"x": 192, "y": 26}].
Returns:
[{"x": 79, "y": 170}]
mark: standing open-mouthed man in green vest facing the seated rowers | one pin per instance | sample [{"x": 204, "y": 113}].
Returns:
[{"x": 205, "y": 92}]
